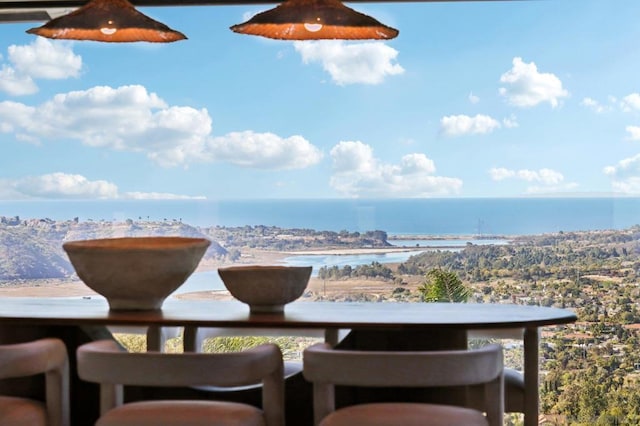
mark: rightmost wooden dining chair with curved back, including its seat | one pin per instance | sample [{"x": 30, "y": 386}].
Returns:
[{"x": 326, "y": 367}]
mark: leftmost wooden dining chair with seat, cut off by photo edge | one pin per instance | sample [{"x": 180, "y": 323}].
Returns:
[{"x": 45, "y": 357}]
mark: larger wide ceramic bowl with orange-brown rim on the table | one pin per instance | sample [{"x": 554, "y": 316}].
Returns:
[{"x": 136, "y": 272}]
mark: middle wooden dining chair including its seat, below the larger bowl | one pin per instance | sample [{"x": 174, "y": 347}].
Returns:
[{"x": 105, "y": 363}]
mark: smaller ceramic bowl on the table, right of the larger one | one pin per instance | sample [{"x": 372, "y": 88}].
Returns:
[{"x": 266, "y": 288}]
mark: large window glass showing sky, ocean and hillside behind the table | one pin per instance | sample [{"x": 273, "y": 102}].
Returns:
[{"x": 495, "y": 140}]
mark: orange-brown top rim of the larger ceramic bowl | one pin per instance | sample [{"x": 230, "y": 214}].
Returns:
[{"x": 143, "y": 243}]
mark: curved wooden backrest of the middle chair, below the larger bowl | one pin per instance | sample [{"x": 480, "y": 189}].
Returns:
[{"x": 105, "y": 363}]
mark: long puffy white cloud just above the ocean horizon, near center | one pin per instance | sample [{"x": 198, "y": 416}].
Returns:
[{"x": 357, "y": 173}]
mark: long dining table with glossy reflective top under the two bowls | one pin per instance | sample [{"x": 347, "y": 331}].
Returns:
[{"x": 373, "y": 325}]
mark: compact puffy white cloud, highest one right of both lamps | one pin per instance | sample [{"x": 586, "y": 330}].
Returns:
[{"x": 526, "y": 87}]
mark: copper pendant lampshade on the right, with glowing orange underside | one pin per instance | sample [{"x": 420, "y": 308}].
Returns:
[{"x": 315, "y": 20}]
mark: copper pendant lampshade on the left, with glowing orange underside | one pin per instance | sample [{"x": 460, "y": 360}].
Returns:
[{"x": 108, "y": 21}]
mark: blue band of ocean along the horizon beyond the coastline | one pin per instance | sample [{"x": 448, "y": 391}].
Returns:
[{"x": 442, "y": 216}]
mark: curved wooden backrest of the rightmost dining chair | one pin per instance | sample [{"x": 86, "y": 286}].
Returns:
[{"x": 326, "y": 367}]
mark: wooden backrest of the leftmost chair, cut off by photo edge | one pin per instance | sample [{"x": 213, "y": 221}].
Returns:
[{"x": 46, "y": 356}]
